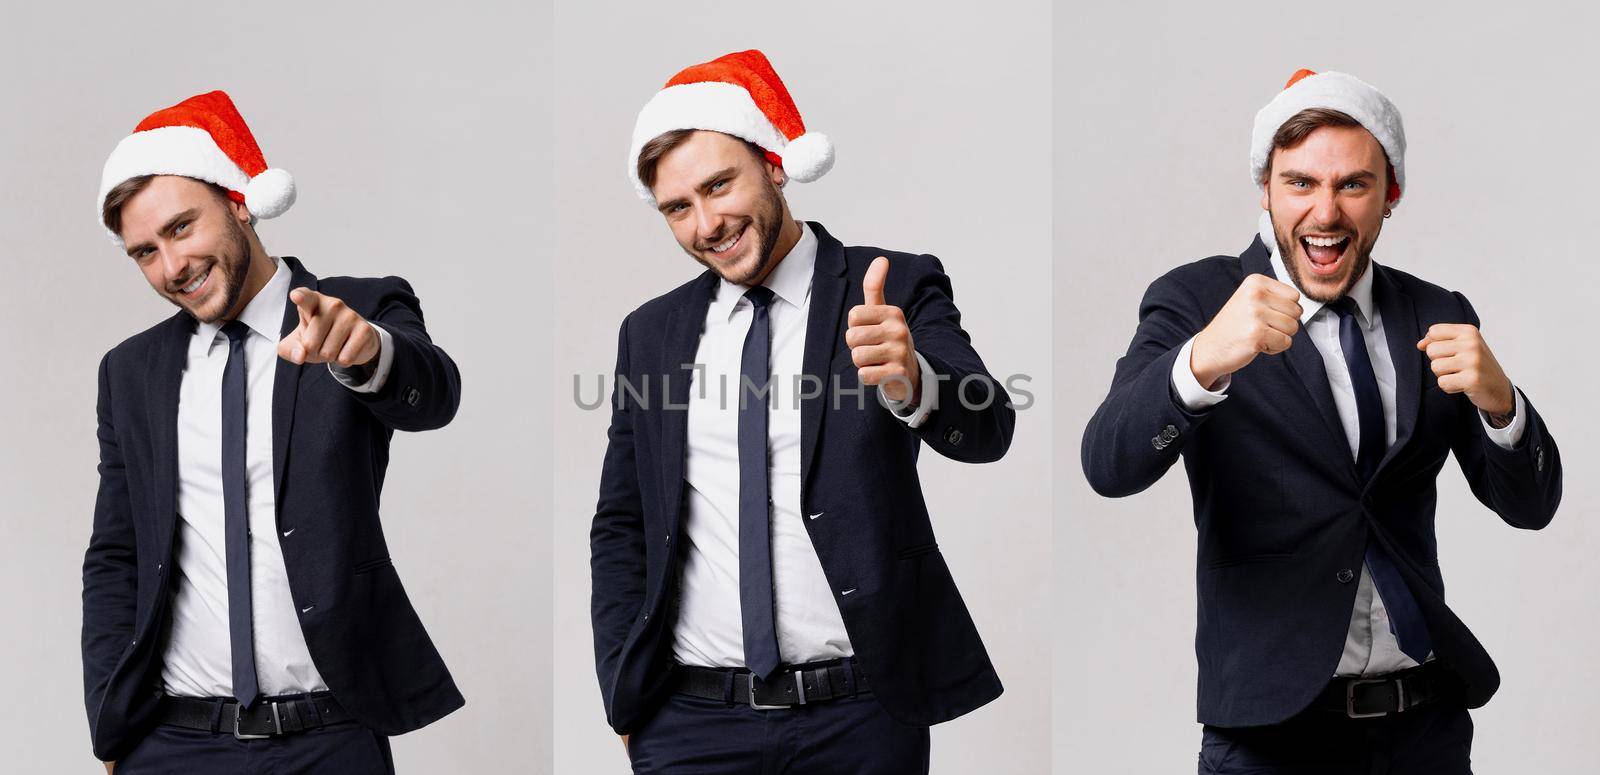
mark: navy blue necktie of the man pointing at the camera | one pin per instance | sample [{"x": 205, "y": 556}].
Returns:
[{"x": 238, "y": 516}]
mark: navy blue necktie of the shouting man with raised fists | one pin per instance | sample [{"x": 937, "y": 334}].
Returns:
[{"x": 1406, "y": 619}]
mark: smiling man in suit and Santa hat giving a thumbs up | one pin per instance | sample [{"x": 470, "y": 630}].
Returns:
[{"x": 767, "y": 590}]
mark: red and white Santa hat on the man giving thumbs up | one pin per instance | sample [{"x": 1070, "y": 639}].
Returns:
[{"x": 735, "y": 95}]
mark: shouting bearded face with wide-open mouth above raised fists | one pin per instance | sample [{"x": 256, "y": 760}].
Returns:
[{"x": 1327, "y": 198}]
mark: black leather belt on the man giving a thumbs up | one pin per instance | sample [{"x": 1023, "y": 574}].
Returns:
[{"x": 791, "y": 686}]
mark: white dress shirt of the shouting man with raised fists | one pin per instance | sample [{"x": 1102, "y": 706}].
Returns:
[{"x": 1370, "y": 648}]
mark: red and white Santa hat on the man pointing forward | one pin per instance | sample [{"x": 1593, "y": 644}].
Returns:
[{"x": 207, "y": 140}]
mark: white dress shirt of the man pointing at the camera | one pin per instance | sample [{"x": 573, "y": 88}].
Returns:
[{"x": 199, "y": 654}]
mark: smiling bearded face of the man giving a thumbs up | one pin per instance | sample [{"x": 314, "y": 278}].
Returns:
[{"x": 724, "y": 206}]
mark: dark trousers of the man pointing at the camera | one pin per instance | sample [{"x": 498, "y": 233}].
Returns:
[{"x": 334, "y": 750}]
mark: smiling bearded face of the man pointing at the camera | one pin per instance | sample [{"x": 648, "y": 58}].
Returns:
[{"x": 194, "y": 247}]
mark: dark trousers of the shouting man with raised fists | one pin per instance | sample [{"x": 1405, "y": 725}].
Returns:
[{"x": 1428, "y": 741}]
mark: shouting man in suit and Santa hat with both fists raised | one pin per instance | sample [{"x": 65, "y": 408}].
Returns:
[{"x": 1314, "y": 396}]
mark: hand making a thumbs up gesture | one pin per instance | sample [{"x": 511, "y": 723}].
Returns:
[{"x": 881, "y": 342}]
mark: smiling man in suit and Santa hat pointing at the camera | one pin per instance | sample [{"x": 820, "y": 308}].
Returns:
[{"x": 241, "y": 612}]
